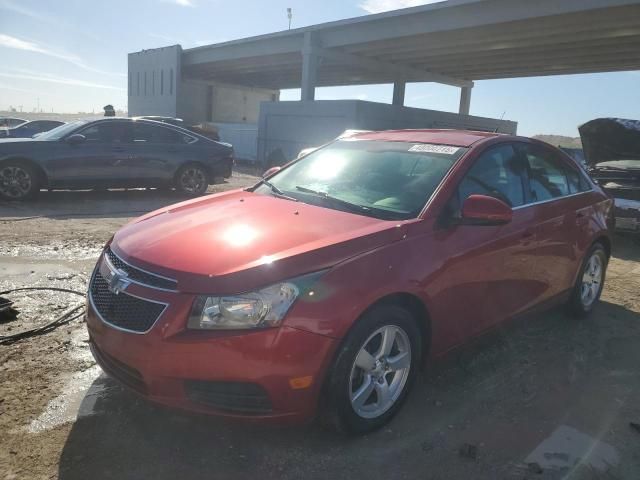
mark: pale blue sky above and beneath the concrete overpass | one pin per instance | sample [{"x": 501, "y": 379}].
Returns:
[{"x": 71, "y": 56}]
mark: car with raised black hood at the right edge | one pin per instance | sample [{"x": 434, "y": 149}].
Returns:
[{"x": 612, "y": 153}]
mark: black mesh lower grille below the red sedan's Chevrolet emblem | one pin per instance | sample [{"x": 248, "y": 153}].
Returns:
[{"x": 122, "y": 310}]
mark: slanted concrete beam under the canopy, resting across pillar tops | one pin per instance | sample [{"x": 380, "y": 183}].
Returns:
[{"x": 401, "y": 71}]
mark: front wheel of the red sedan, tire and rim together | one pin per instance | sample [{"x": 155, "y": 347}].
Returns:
[{"x": 373, "y": 371}]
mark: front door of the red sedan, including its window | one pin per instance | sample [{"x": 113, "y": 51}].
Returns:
[{"x": 488, "y": 275}]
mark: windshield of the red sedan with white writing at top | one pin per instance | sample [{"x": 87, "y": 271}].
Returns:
[{"x": 391, "y": 180}]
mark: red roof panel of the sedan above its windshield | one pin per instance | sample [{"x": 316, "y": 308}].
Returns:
[{"x": 458, "y": 138}]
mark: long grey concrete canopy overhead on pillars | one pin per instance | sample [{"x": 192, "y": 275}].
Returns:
[{"x": 452, "y": 42}]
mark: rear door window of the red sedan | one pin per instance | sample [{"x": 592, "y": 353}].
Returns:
[{"x": 547, "y": 174}]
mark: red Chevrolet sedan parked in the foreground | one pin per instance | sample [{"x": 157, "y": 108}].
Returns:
[{"x": 326, "y": 286}]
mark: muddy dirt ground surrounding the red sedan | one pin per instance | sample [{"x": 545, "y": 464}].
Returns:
[{"x": 544, "y": 397}]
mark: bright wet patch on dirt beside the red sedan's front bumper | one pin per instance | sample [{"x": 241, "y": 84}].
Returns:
[{"x": 80, "y": 394}]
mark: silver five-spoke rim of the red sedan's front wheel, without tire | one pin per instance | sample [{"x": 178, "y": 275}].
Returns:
[{"x": 380, "y": 371}]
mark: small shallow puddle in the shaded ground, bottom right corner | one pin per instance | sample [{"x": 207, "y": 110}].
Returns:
[{"x": 567, "y": 447}]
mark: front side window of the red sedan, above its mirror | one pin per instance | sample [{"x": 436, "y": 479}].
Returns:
[{"x": 496, "y": 173}]
